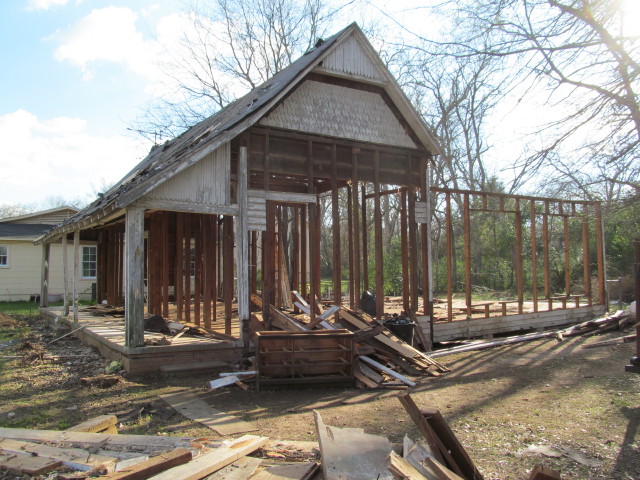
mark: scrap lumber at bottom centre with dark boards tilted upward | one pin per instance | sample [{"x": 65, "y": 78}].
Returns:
[{"x": 352, "y": 454}]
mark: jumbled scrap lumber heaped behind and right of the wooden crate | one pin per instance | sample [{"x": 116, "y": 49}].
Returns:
[{"x": 382, "y": 359}]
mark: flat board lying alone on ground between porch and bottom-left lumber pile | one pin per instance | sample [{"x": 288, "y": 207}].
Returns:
[{"x": 195, "y": 408}]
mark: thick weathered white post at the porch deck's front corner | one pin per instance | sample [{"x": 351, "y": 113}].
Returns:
[{"x": 134, "y": 277}]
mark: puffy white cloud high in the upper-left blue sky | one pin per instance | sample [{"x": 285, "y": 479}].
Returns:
[{"x": 108, "y": 35}]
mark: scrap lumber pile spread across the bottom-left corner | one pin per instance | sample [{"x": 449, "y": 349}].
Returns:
[{"x": 73, "y": 455}]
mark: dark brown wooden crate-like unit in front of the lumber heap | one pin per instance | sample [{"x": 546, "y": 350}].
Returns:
[{"x": 317, "y": 356}]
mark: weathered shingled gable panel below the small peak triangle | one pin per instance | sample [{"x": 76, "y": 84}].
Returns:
[{"x": 337, "y": 111}]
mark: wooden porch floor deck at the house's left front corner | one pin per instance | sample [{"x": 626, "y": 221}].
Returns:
[{"x": 107, "y": 334}]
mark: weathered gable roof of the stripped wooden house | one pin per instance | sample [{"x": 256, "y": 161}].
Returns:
[{"x": 174, "y": 156}]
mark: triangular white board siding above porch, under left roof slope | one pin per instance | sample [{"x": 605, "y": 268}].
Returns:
[{"x": 207, "y": 182}]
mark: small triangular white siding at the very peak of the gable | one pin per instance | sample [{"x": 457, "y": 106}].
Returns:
[{"x": 351, "y": 59}]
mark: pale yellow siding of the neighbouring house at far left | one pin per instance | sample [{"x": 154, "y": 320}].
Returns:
[{"x": 22, "y": 279}]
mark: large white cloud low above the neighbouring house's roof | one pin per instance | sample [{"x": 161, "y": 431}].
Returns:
[{"x": 57, "y": 157}]
